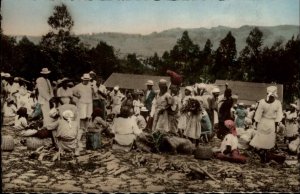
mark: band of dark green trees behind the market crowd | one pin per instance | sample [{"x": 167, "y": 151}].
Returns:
[{"x": 65, "y": 55}]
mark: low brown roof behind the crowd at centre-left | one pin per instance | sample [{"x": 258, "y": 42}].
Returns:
[{"x": 132, "y": 81}]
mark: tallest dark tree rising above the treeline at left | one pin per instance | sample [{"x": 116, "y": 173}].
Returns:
[{"x": 59, "y": 45}]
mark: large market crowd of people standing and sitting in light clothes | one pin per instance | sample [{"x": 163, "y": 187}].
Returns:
[{"x": 65, "y": 110}]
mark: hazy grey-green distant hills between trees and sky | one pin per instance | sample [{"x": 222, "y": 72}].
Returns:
[{"x": 147, "y": 45}]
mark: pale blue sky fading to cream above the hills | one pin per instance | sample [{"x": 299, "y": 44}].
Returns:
[{"x": 29, "y": 17}]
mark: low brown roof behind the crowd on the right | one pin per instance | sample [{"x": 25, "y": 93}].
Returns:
[{"x": 249, "y": 92}]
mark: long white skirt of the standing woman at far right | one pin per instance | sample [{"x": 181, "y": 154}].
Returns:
[{"x": 265, "y": 136}]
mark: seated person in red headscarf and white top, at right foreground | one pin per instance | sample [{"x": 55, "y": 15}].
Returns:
[{"x": 229, "y": 146}]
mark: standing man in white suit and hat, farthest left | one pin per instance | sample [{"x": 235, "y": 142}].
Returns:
[{"x": 45, "y": 94}]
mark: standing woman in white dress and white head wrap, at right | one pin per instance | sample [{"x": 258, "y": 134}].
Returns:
[{"x": 267, "y": 116}]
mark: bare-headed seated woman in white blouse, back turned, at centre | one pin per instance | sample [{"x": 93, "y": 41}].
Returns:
[{"x": 125, "y": 128}]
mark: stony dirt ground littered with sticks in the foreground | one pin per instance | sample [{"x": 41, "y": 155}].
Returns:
[{"x": 107, "y": 170}]
